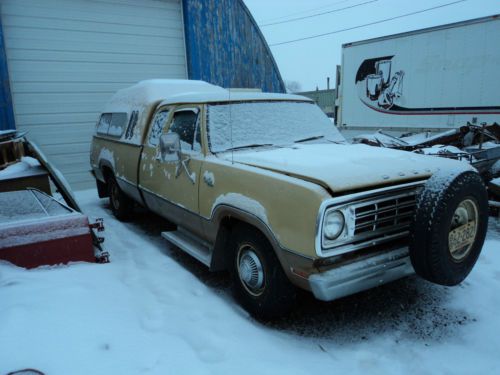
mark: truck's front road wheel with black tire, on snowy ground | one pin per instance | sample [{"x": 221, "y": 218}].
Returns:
[{"x": 274, "y": 296}]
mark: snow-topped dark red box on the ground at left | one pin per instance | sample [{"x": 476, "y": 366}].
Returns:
[{"x": 37, "y": 230}]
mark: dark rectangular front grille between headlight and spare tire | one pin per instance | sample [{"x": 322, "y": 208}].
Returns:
[{"x": 385, "y": 214}]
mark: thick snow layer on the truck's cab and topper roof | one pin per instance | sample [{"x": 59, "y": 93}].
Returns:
[{"x": 178, "y": 91}]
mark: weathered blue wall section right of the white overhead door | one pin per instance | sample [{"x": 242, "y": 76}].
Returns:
[{"x": 224, "y": 46}]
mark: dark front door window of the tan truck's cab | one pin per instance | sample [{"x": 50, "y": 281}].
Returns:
[{"x": 186, "y": 123}]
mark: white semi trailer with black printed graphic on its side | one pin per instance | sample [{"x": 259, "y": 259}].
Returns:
[{"x": 431, "y": 79}]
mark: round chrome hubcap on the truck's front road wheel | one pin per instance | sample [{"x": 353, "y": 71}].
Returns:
[{"x": 250, "y": 270}]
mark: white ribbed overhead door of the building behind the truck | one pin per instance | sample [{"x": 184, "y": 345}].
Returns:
[{"x": 67, "y": 57}]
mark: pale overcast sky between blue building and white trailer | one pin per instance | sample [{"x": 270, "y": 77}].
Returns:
[{"x": 309, "y": 62}]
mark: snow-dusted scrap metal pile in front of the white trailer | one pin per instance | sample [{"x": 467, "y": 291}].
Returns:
[{"x": 477, "y": 145}]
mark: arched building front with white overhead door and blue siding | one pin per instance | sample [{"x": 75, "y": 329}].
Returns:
[{"x": 67, "y": 57}]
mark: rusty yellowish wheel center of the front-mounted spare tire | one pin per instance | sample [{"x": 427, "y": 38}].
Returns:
[{"x": 463, "y": 229}]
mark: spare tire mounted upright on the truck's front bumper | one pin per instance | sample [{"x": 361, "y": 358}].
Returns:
[{"x": 449, "y": 226}]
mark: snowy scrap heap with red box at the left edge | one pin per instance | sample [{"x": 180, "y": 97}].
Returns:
[{"x": 40, "y": 221}]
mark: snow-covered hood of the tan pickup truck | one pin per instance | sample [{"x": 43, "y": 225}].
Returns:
[{"x": 344, "y": 167}]
